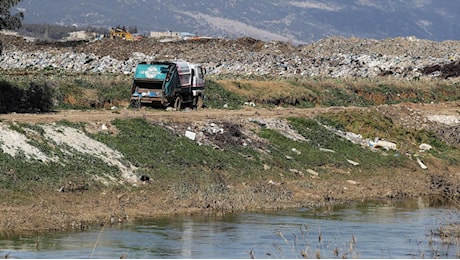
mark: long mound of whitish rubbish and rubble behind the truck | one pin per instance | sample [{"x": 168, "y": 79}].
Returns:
[{"x": 406, "y": 58}]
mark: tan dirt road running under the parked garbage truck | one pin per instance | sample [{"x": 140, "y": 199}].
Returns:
[{"x": 399, "y": 112}]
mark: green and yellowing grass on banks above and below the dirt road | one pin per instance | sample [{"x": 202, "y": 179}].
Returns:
[{"x": 179, "y": 164}]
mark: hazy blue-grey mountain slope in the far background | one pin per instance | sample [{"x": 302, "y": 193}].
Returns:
[{"x": 296, "y": 21}]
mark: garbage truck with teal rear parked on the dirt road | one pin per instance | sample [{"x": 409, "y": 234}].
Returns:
[{"x": 168, "y": 84}]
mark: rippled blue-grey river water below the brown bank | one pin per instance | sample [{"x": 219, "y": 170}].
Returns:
[{"x": 402, "y": 229}]
